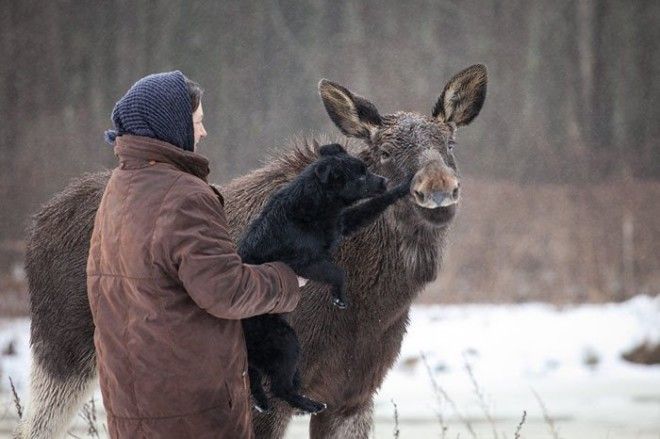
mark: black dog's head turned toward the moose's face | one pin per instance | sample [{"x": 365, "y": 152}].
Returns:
[{"x": 345, "y": 175}]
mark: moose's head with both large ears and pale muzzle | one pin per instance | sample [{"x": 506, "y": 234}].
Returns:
[{"x": 404, "y": 143}]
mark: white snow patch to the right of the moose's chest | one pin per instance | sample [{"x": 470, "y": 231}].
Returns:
[{"x": 570, "y": 356}]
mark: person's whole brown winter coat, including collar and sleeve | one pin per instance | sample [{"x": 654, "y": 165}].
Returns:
[{"x": 167, "y": 290}]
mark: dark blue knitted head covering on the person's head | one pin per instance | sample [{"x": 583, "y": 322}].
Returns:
[{"x": 157, "y": 106}]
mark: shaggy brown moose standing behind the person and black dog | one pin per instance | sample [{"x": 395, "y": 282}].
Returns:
[{"x": 344, "y": 355}]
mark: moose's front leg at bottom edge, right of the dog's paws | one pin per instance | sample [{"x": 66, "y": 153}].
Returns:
[{"x": 355, "y": 424}]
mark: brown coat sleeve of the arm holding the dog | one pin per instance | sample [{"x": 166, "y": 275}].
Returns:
[{"x": 192, "y": 241}]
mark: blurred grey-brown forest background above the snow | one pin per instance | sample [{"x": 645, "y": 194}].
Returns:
[{"x": 562, "y": 167}]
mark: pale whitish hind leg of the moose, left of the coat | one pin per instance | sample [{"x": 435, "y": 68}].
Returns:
[{"x": 54, "y": 401}]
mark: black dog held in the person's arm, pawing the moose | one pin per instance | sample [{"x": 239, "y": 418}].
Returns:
[{"x": 301, "y": 225}]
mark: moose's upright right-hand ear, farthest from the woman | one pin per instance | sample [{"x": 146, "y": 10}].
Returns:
[{"x": 463, "y": 96}]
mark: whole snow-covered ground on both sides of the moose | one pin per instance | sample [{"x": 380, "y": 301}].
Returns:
[{"x": 489, "y": 364}]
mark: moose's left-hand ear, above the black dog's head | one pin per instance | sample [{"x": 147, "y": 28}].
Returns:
[{"x": 354, "y": 115}]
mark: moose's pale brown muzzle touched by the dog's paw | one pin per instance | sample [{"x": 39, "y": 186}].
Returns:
[{"x": 435, "y": 185}]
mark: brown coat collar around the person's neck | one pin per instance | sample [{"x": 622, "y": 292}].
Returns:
[{"x": 130, "y": 148}]
